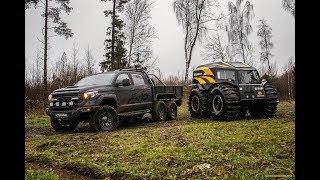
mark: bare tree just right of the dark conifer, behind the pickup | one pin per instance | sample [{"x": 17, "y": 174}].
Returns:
[{"x": 138, "y": 31}]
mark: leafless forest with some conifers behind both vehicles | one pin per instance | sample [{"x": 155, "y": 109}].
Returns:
[{"x": 130, "y": 36}]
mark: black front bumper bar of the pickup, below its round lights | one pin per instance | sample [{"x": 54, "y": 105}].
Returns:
[{"x": 74, "y": 112}]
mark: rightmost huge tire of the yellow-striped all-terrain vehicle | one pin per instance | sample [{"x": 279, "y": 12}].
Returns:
[{"x": 268, "y": 108}]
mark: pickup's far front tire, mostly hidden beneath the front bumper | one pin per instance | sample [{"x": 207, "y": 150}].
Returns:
[{"x": 59, "y": 127}]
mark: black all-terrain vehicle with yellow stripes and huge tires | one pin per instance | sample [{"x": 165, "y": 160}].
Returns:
[{"x": 229, "y": 90}]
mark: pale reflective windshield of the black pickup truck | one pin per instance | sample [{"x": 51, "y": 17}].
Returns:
[{"x": 98, "y": 79}]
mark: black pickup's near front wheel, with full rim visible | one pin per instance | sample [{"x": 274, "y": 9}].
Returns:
[{"x": 105, "y": 119}]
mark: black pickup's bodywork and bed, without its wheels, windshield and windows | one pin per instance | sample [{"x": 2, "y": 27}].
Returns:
[{"x": 127, "y": 99}]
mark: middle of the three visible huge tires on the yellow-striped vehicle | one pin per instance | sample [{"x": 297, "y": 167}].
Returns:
[{"x": 230, "y": 108}]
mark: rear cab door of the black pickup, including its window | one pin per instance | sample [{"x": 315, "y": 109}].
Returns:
[{"x": 142, "y": 94}]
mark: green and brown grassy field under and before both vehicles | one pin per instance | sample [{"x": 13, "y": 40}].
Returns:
[{"x": 182, "y": 149}]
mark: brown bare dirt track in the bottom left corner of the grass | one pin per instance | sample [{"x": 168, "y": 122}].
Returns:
[{"x": 62, "y": 173}]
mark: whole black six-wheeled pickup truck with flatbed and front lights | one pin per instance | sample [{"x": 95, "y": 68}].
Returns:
[{"x": 104, "y": 99}]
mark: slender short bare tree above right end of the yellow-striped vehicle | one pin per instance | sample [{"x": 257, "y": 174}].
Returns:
[{"x": 265, "y": 34}]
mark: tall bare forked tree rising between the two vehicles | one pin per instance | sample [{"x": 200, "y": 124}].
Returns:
[{"x": 193, "y": 15}]
